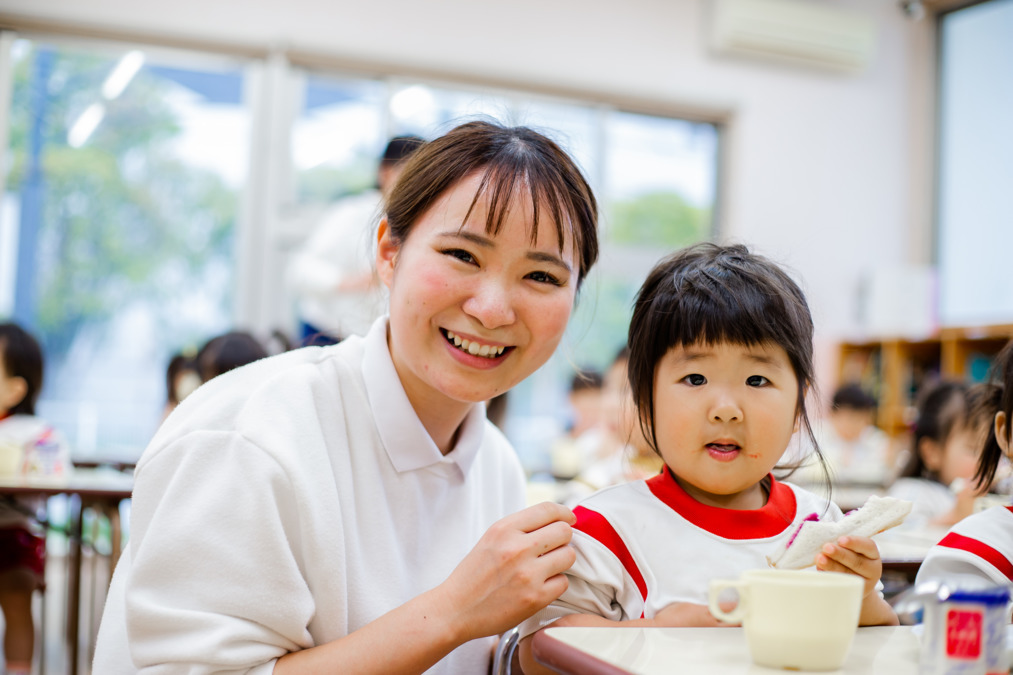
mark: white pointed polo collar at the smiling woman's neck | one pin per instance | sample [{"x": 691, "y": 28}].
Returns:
[{"x": 405, "y": 438}]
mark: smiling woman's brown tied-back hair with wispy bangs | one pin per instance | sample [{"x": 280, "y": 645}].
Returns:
[{"x": 512, "y": 159}]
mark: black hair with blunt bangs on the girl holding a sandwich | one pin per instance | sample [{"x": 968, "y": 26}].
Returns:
[{"x": 713, "y": 294}]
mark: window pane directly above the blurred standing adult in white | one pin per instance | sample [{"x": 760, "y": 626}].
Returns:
[{"x": 338, "y": 137}]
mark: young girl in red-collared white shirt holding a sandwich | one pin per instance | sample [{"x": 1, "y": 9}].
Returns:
[{"x": 721, "y": 362}]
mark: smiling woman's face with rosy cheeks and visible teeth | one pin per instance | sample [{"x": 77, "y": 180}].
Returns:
[{"x": 472, "y": 314}]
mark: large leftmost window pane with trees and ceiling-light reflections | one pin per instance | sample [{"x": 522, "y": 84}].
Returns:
[{"x": 123, "y": 193}]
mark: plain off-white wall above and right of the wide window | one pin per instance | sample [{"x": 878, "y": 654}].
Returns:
[{"x": 824, "y": 173}]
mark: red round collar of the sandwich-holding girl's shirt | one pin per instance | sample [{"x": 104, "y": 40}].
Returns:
[{"x": 773, "y": 519}]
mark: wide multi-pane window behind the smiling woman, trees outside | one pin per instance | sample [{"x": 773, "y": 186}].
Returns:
[{"x": 154, "y": 196}]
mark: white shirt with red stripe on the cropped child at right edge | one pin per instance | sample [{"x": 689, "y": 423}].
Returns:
[{"x": 979, "y": 549}]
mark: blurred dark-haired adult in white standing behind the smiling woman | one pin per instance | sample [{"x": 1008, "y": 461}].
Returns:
[{"x": 333, "y": 273}]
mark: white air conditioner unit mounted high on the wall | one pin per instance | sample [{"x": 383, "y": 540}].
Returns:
[{"x": 803, "y": 32}]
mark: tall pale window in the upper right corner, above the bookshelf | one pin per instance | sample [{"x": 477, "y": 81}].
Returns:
[{"x": 976, "y": 163}]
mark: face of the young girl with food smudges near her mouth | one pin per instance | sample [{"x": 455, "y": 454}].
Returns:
[{"x": 724, "y": 416}]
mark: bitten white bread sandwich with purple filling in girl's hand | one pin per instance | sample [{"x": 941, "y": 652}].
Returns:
[{"x": 877, "y": 515}]
